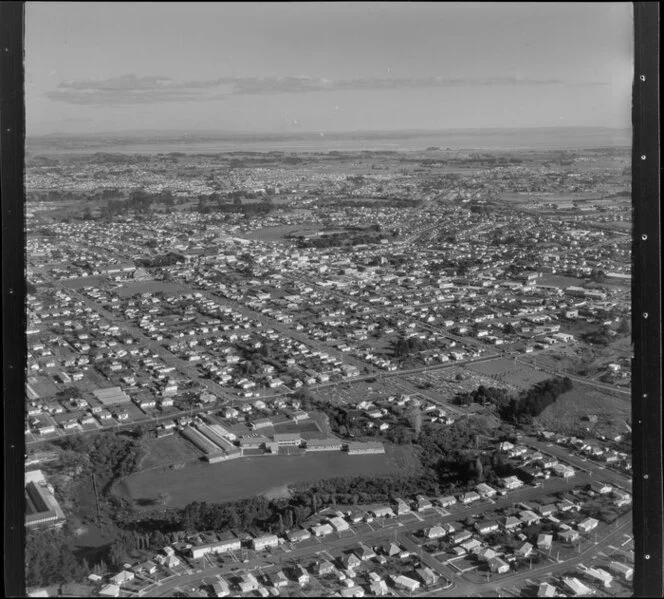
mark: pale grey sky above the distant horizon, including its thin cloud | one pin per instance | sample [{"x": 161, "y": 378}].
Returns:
[{"x": 343, "y": 66}]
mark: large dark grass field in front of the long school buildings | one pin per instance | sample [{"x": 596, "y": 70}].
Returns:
[{"x": 248, "y": 477}]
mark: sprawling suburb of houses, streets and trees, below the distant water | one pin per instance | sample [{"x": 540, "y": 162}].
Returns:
[{"x": 329, "y": 373}]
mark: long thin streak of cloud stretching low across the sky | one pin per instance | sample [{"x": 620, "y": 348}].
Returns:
[{"x": 134, "y": 89}]
